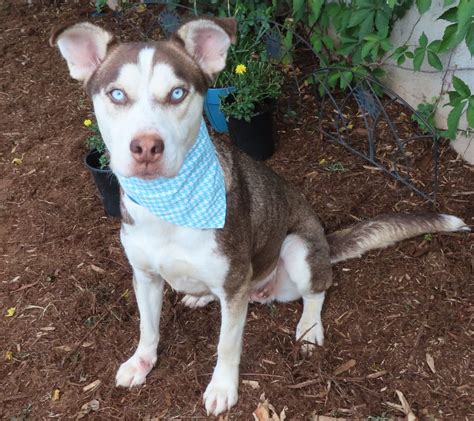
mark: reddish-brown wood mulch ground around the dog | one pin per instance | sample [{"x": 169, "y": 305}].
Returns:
[{"x": 396, "y": 320}]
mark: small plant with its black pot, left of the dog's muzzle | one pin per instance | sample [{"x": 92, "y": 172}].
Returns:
[{"x": 97, "y": 162}]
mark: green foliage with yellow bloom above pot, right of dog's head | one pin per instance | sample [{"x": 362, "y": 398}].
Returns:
[{"x": 255, "y": 78}]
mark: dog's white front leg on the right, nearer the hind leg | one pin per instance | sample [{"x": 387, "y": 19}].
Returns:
[{"x": 222, "y": 392}]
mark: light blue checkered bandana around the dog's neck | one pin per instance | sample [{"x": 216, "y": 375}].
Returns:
[{"x": 195, "y": 197}]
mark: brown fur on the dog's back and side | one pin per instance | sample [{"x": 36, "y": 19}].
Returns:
[{"x": 262, "y": 209}]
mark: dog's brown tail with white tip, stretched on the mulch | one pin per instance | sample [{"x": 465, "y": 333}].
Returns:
[{"x": 386, "y": 230}]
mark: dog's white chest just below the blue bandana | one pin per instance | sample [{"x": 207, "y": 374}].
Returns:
[{"x": 188, "y": 259}]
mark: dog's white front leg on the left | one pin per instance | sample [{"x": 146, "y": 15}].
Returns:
[{"x": 149, "y": 295}]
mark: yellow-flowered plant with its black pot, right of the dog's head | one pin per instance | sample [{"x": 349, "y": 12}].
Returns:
[{"x": 249, "y": 107}]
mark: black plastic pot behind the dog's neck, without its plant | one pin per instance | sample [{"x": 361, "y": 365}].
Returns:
[{"x": 256, "y": 138}]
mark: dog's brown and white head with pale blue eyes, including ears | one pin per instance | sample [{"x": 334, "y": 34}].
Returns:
[{"x": 147, "y": 96}]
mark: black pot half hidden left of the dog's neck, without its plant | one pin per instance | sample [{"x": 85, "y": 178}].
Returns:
[{"x": 106, "y": 182}]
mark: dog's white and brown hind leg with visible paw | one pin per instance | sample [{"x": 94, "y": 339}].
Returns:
[{"x": 306, "y": 261}]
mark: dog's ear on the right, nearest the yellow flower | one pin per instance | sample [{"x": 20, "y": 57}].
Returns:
[{"x": 207, "y": 41}]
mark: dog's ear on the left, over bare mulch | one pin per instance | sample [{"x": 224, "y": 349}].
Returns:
[{"x": 83, "y": 46}]
